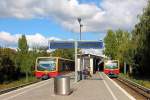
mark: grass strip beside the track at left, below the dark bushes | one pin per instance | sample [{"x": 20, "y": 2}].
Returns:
[{"x": 18, "y": 82}]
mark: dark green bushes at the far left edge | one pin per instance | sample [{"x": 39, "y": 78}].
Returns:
[{"x": 8, "y": 69}]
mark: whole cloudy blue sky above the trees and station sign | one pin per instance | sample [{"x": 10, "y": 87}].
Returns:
[{"x": 43, "y": 20}]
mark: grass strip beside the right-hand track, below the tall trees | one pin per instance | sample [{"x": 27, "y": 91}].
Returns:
[{"x": 142, "y": 81}]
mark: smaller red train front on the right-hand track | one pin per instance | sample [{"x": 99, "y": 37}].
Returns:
[{"x": 111, "y": 68}]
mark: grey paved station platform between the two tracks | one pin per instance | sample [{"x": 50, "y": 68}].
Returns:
[{"x": 98, "y": 87}]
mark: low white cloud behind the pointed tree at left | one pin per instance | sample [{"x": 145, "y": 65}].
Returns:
[{"x": 37, "y": 39}]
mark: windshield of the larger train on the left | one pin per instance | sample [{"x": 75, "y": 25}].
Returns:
[{"x": 46, "y": 64}]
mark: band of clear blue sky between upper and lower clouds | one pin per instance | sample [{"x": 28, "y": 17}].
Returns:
[{"x": 47, "y": 27}]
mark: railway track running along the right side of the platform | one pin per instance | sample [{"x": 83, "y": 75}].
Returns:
[{"x": 145, "y": 92}]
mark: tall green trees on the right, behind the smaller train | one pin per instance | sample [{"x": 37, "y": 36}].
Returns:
[{"x": 134, "y": 47}]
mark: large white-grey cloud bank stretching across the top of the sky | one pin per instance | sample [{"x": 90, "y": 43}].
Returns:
[{"x": 109, "y": 14}]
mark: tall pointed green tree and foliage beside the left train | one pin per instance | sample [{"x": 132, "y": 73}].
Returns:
[{"x": 26, "y": 59}]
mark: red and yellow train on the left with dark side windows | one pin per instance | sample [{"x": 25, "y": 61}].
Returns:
[{"x": 47, "y": 67}]
